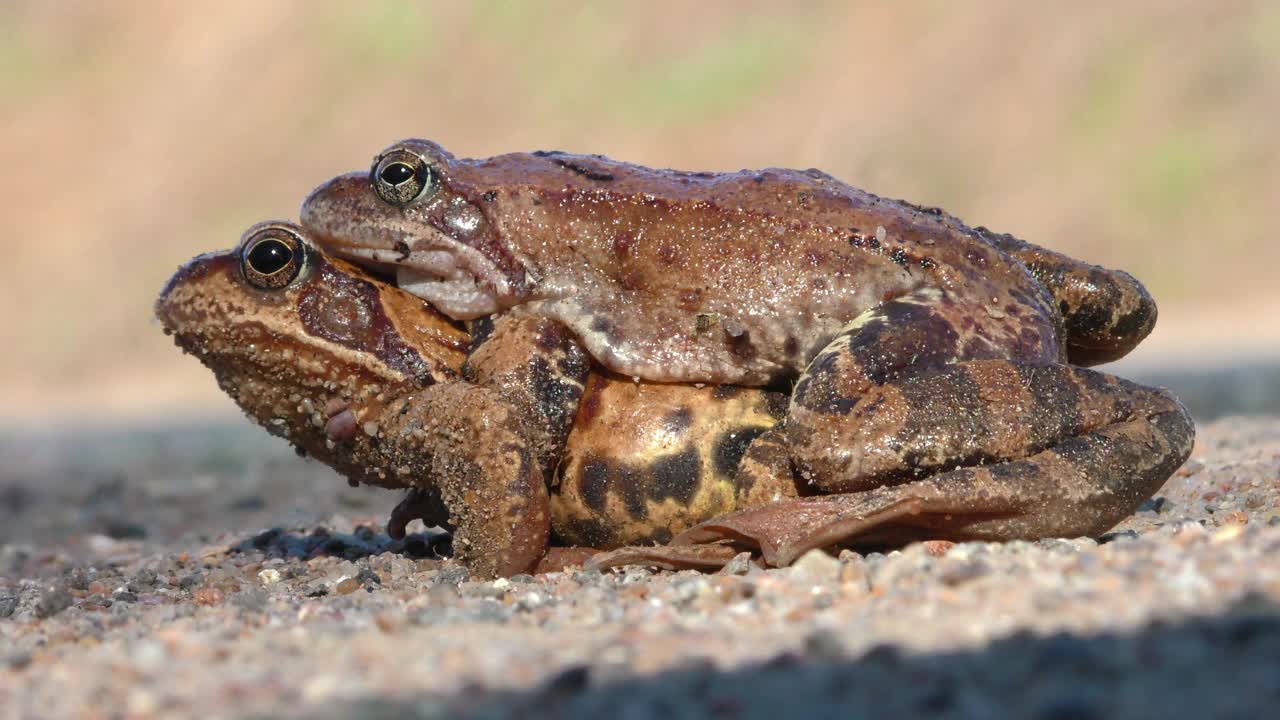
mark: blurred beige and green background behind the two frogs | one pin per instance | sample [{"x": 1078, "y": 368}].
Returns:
[{"x": 1137, "y": 135}]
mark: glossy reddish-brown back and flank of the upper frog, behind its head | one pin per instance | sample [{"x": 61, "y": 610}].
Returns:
[{"x": 729, "y": 277}]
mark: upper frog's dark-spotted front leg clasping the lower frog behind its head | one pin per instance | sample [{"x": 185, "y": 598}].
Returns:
[{"x": 540, "y": 368}]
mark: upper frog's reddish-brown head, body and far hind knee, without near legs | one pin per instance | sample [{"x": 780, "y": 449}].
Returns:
[{"x": 710, "y": 277}]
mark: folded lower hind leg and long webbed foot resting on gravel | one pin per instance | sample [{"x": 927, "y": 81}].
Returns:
[{"x": 1099, "y": 448}]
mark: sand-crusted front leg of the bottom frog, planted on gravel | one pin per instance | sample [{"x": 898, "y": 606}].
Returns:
[{"x": 468, "y": 444}]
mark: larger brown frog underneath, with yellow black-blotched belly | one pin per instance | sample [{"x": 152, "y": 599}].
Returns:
[{"x": 369, "y": 380}]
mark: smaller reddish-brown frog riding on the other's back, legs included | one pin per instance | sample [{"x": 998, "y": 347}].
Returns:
[{"x": 921, "y": 354}]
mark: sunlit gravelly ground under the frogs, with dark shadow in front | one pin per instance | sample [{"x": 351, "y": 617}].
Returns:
[{"x": 211, "y": 573}]
